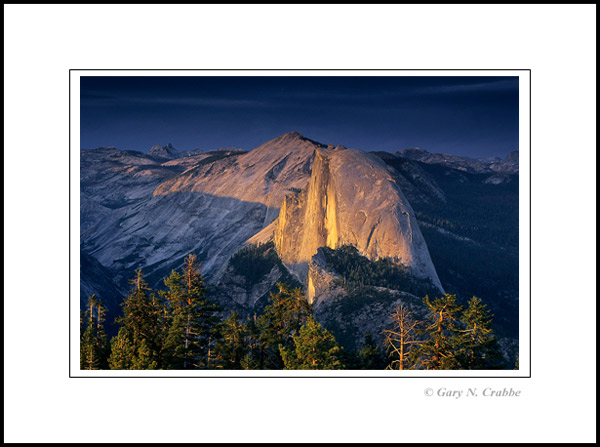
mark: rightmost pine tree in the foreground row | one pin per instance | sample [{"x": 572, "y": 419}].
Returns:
[{"x": 479, "y": 349}]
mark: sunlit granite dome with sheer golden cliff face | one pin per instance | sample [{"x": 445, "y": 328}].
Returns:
[{"x": 351, "y": 198}]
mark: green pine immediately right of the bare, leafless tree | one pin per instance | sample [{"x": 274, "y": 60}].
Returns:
[{"x": 440, "y": 348}]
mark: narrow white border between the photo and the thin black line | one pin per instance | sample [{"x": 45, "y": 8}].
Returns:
[{"x": 524, "y": 226}]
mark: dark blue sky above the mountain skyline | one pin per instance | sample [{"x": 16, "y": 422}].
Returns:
[{"x": 470, "y": 116}]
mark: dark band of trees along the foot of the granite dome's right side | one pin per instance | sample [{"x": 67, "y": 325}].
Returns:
[{"x": 357, "y": 271}]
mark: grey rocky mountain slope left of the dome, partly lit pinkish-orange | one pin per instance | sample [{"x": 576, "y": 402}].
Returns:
[{"x": 139, "y": 211}]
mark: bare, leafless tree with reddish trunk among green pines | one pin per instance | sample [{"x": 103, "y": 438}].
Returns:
[{"x": 401, "y": 340}]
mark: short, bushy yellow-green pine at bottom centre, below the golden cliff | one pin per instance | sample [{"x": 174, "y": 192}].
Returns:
[{"x": 315, "y": 348}]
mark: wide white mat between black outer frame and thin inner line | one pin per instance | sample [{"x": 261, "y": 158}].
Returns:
[{"x": 42, "y": 404}]
